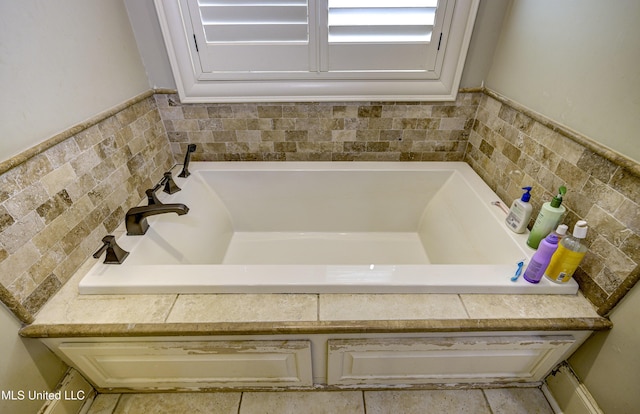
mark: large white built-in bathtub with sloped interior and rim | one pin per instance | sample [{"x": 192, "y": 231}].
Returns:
[{"x": 316, "y": 227}]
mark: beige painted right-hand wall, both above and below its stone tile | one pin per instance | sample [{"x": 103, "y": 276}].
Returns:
[{"x": 576, "y": 62}]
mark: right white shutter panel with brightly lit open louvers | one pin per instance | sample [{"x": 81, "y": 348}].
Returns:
[{"x": 385, "y": 35}]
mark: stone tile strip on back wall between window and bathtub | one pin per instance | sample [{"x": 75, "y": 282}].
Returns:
[{"x": 353, "y": 131}]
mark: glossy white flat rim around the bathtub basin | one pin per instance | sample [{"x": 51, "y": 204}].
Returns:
[{"x": 410, "y": 280}]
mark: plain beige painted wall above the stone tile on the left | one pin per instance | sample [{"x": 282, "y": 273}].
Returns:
[{"x": 61, "y": 63}]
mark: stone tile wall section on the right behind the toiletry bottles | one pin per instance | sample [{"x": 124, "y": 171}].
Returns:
[{"x": 511, "y": 148}]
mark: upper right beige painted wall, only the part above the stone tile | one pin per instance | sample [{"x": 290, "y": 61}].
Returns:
[{"x": 576, "y": 62}]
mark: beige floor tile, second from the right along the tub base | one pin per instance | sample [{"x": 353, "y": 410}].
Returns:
[{"x": 432, "y": 401}]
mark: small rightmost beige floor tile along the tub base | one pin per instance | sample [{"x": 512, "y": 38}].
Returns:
[{"x": 518, "y": 400}]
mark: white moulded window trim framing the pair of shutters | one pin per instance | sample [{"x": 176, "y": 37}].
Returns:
[{"x": 193, "y": 89}]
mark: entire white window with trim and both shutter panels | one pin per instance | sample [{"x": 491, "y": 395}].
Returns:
[{"x": 311, "y": 50}]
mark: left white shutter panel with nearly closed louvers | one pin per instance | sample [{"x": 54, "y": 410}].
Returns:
[{"x": 253, "y": 35}]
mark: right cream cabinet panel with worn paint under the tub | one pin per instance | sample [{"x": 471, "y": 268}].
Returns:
[{"x": 439, "y": 360}]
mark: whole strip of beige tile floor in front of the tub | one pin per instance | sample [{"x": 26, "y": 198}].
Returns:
[{"x": 472, "y": 401}]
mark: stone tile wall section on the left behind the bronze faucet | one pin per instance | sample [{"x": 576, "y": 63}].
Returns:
[{"x": 56, "y": 206}]
